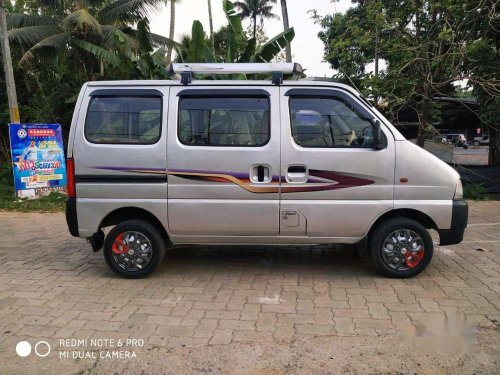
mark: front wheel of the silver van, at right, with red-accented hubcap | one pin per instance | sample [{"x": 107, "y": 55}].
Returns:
[{"x": 401, "y": 247}]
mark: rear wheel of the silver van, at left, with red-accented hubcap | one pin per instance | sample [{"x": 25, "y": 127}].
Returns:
[{"x": 134, "y": 248}]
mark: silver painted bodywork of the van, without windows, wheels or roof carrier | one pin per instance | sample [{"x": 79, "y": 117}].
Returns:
[{"x": 236, "y": 211}]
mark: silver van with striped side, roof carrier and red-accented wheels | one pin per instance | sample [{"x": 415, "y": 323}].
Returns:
[{"x": 253, "y": 162}]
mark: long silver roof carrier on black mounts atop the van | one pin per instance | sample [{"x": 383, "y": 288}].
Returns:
[{"x": 187, "y": 71}]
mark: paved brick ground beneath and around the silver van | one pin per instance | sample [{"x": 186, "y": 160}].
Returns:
[{"x": 249, "y": 310}]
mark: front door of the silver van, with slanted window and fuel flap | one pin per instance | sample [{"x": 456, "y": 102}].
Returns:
[{"x": 335, "y": 184}]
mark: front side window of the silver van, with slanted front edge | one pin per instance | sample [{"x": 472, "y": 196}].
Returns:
[{"x": 329, "y": 122}]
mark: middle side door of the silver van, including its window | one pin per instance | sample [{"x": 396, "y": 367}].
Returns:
[{"x": 223, "y": 162}]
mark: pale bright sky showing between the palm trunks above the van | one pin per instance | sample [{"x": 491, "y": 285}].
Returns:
[{"x": 307, "y": 49}]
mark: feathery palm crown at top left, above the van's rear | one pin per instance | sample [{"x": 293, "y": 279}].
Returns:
[{"x": 93, "y": 33}]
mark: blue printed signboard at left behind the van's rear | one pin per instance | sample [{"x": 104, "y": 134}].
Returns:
[{"x": 37, "y": 159}]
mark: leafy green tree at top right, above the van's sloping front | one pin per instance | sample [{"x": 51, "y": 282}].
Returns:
[{"x": 425, "y": 45}]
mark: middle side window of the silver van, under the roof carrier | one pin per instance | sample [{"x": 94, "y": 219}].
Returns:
[{"x": 224, "y": 121}]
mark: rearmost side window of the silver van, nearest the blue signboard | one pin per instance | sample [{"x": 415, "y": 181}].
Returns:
[{"x": 123, "y": 119}]
